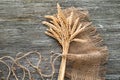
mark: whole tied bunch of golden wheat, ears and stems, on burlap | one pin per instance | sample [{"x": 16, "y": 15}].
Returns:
[{"x": 64, "y": 30}]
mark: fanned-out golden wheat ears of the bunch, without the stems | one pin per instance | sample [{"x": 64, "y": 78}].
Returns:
[{"x": 63, "y": 28}]
